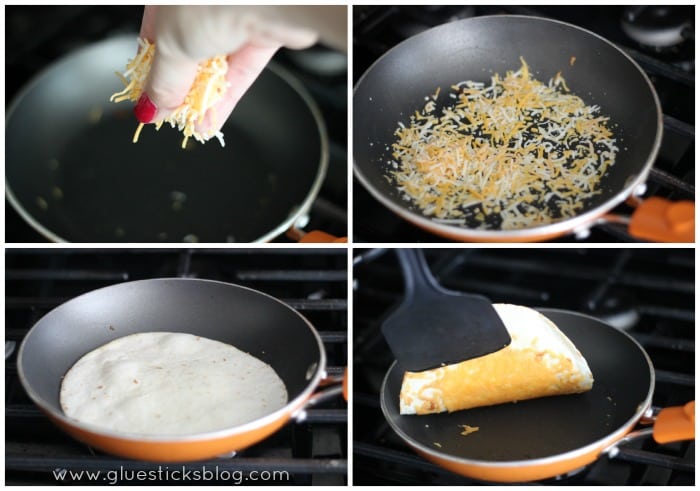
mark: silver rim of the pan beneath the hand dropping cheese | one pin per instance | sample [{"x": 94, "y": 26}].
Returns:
[{"x": 286, "y": 76}]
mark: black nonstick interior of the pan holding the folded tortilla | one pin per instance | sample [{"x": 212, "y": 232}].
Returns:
[{"x": 545, "y": 427}]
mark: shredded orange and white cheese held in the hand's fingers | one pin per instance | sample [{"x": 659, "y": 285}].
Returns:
[{"x": 208, "y": 88}]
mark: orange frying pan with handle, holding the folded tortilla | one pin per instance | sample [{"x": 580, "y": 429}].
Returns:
[{"x": 551, "y": 436}]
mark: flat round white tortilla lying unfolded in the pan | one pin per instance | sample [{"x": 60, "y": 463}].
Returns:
[{"x": 170, "y": 384}]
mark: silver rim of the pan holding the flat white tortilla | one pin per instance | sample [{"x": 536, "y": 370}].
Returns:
[{"x": 282, "y": 413}]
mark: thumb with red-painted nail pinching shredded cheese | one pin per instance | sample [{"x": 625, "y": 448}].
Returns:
[{"x": 168, "y": 83}]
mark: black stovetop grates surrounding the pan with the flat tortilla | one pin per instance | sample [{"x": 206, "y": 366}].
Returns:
[{"x": 314, "y": 282}]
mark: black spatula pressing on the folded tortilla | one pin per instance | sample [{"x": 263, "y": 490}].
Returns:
[{"x": 434, "y": 326}]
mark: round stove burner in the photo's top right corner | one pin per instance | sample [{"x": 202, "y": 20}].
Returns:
[{"x": 659, "y": 26}]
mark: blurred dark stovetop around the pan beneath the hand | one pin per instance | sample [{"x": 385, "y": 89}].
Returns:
[{"x": 38, "y": 36}]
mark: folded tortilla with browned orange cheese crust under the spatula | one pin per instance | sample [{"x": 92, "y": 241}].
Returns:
[{"x": 540, "y": 361}]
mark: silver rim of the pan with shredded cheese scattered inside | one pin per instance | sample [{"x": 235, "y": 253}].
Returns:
[{"x": 577, "y": 224}]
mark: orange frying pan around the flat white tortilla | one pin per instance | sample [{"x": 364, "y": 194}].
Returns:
[{"x": 250, "y": 320}]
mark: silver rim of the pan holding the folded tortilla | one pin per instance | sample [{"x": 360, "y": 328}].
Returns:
[{"x": 598, "y": 447}]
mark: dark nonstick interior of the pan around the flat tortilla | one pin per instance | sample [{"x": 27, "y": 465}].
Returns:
[{"x": 247, "y": 319}]
